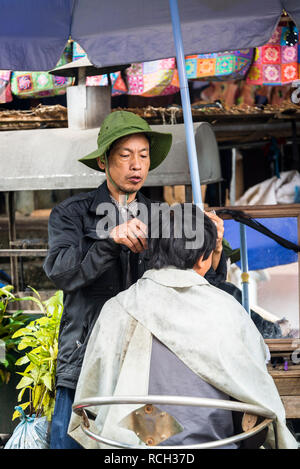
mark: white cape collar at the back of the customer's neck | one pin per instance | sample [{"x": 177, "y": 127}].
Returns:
[{"x": 176, "y": 278}]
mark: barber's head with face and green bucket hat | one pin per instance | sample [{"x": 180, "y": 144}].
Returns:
[{"x": 145, "y": 150}]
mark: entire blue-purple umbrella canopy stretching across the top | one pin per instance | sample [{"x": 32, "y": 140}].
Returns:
[{"x": 34, "y": 33}]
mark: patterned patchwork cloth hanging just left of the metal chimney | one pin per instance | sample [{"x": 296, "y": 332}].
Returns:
[{"x": 41, "y": 84}]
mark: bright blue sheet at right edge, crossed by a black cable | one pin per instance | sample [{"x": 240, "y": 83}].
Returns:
[{"x": 264, "y": 252}]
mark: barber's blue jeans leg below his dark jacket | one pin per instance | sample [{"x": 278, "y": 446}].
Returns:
[{"x": 60, "y": 421}]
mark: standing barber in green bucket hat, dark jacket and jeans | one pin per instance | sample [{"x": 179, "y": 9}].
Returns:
[{"x": 91, "y": 269}]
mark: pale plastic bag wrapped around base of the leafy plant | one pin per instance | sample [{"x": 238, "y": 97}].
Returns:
[{"x": 31, "y": 433}]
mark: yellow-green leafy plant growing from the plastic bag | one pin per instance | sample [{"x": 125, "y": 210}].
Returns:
[{"x": 41, "y": 338}]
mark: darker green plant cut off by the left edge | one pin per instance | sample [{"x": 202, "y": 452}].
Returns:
[{"x": 9, "y": 324}]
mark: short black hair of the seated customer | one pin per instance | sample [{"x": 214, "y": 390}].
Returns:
[{"x": 172, "y": 250}]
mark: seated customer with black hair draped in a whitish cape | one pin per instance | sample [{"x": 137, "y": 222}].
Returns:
[{"x": 173, "y": 333}]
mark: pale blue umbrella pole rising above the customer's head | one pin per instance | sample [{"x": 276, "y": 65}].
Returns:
[{"x": 186, "y": 104}]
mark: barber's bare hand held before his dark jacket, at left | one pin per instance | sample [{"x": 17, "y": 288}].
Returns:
[{"x": 132, "y": 234}]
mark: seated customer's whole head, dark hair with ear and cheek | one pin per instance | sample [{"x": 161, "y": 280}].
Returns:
[{"x": 176, "y": 249}]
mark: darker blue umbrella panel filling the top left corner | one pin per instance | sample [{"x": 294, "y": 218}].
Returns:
[{"x": 33, "y": 33}]
